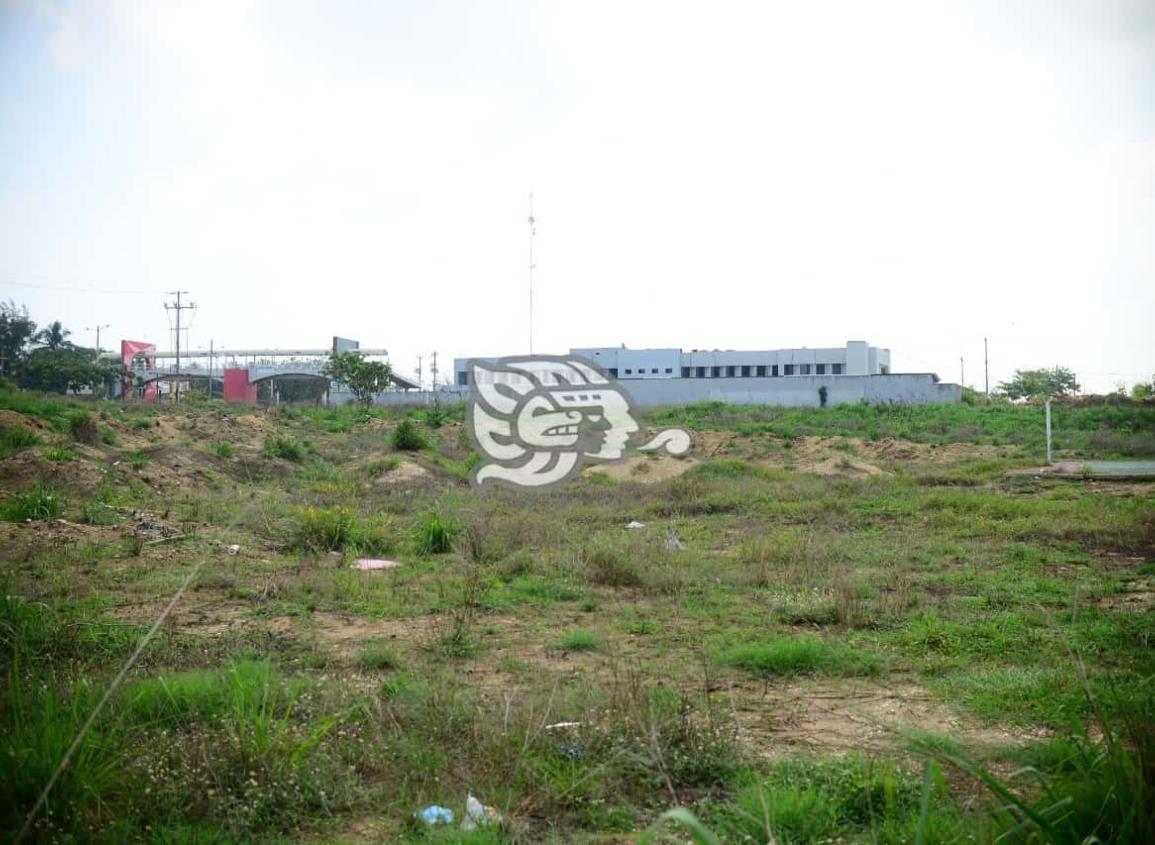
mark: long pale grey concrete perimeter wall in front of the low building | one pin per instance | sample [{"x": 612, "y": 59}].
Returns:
[{"x": 792, "y": 392}]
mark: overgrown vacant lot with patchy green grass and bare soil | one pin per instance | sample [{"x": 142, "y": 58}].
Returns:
[{"x": 868, "y": 634}]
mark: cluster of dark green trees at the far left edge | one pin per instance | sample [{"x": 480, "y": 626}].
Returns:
[{"x": 46, "y": 358}]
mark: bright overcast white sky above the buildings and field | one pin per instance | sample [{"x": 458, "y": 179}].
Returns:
[{"x": 705, "y": 176}]
